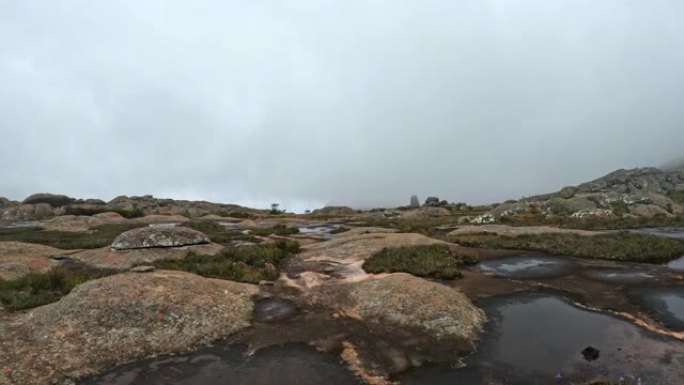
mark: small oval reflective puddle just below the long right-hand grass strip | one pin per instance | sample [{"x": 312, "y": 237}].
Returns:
[{"x": 528, "y": 266}]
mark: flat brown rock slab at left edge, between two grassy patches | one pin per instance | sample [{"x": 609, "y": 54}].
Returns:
[{"x": 18, "y": 258}]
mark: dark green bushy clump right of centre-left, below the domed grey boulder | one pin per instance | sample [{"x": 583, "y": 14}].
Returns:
[{"x": 250, "y": 264}]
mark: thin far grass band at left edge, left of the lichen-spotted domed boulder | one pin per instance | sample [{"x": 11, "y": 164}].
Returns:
[{"x": 100, "y": 236}]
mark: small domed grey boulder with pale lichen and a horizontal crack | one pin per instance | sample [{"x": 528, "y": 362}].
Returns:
[{"x": 151, "y": 236}]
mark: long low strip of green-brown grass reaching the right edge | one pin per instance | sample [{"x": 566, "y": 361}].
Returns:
[{"x": 622, "y": 246}]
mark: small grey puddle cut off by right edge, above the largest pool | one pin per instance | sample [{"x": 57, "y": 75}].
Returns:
[{"x": 667, "y": 304}]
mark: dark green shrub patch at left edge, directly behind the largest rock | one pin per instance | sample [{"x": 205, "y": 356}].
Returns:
[{"x": 37, "y": 289}]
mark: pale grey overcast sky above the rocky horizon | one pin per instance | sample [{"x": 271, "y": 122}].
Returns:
[{"x": 356, "y": 102}]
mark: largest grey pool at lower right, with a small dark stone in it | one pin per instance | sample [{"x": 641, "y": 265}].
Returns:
[{"x": 533, "y": 338}]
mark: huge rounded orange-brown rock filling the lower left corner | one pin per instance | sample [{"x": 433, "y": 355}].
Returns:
[{"x": 109, "y": 321}]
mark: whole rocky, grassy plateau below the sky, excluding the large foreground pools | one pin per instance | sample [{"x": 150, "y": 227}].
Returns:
[{"x": 87, "y": 285}]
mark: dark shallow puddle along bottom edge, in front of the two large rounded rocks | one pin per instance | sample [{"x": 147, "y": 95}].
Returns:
[{"x": 286, "y": 365}]
